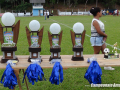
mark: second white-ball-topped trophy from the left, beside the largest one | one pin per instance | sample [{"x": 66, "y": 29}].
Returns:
[{"x": 34, "y": 38}]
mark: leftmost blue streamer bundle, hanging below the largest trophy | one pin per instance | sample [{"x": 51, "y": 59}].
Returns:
[{"x": 10, "y": 79}]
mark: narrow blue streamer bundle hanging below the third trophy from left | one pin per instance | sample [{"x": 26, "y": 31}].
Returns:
[{"x": 57, "y": 69}]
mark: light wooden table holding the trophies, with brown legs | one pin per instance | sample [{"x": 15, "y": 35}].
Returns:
[{"x": 66, "y": 63}]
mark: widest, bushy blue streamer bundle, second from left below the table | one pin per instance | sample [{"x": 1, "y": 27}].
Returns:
[{"x": 34, "y": 73}]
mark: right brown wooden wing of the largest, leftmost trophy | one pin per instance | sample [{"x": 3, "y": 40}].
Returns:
[{"x": 16, "y": 32}]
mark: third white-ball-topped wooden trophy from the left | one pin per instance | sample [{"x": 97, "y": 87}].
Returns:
[{"x": 55, "y": 41}]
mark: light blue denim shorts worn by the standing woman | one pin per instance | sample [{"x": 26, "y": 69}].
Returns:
[{"x": 96, "y": 41}]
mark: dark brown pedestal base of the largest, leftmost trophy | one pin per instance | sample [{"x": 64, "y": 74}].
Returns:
[{"x": 8, "y": 54}]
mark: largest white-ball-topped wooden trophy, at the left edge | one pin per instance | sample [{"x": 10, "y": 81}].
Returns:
[{"x": 8, "y": 37}]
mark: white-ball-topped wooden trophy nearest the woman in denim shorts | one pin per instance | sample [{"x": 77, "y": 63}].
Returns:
[{"x": 78, "y": 37}]
